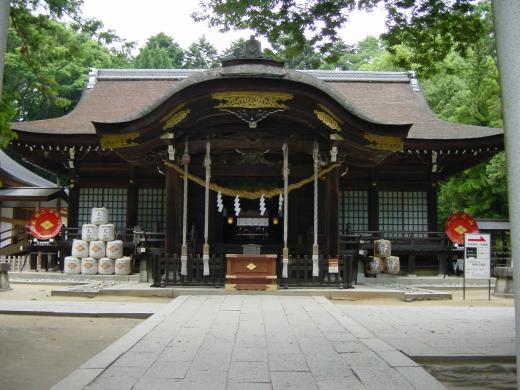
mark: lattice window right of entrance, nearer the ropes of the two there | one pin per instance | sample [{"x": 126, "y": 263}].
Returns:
[{"x": 353, "y": 210}]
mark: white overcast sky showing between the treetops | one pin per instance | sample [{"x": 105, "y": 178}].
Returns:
[{"x": 138, "y": 20}]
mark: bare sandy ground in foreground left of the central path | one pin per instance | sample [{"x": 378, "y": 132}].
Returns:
[{"x": 39, "y": 351}]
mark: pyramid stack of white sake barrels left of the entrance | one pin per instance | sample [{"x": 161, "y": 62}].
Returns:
[{"x": 97, "y": 251}]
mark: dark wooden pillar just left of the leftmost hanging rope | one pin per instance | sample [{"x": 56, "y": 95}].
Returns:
[{"x": 173, "y": 211}]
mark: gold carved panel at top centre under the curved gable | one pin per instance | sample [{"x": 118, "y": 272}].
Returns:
[{"x": 251, "y": 99}]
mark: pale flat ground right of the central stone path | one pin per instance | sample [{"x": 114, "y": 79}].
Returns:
[{"x": 440, "y": 331}]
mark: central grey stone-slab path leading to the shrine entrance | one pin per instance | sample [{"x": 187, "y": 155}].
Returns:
[{"x": 249, "y": 342}]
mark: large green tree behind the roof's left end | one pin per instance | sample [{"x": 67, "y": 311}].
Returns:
[{"x": 49, "y": 82}]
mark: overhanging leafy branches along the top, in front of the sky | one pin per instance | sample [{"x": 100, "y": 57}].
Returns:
[{"x": 432, "y": 28}]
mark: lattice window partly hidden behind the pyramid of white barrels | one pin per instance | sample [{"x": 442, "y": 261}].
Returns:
[{"x": 114, "y": 199}]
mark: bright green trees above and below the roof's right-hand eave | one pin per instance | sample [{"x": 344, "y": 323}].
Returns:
[{"x": 466, "y": 90}]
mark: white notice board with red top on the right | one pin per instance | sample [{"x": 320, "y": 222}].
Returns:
[{"x": 477, "y": 256}]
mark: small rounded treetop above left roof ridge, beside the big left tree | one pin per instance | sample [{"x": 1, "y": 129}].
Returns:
[{"x": 160, "y": 52}]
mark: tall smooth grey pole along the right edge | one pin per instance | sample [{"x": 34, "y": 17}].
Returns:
[{"x": 507, "y": 29}]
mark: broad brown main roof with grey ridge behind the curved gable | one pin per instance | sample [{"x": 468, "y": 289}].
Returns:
[{"x": 391, "y": 98}]
